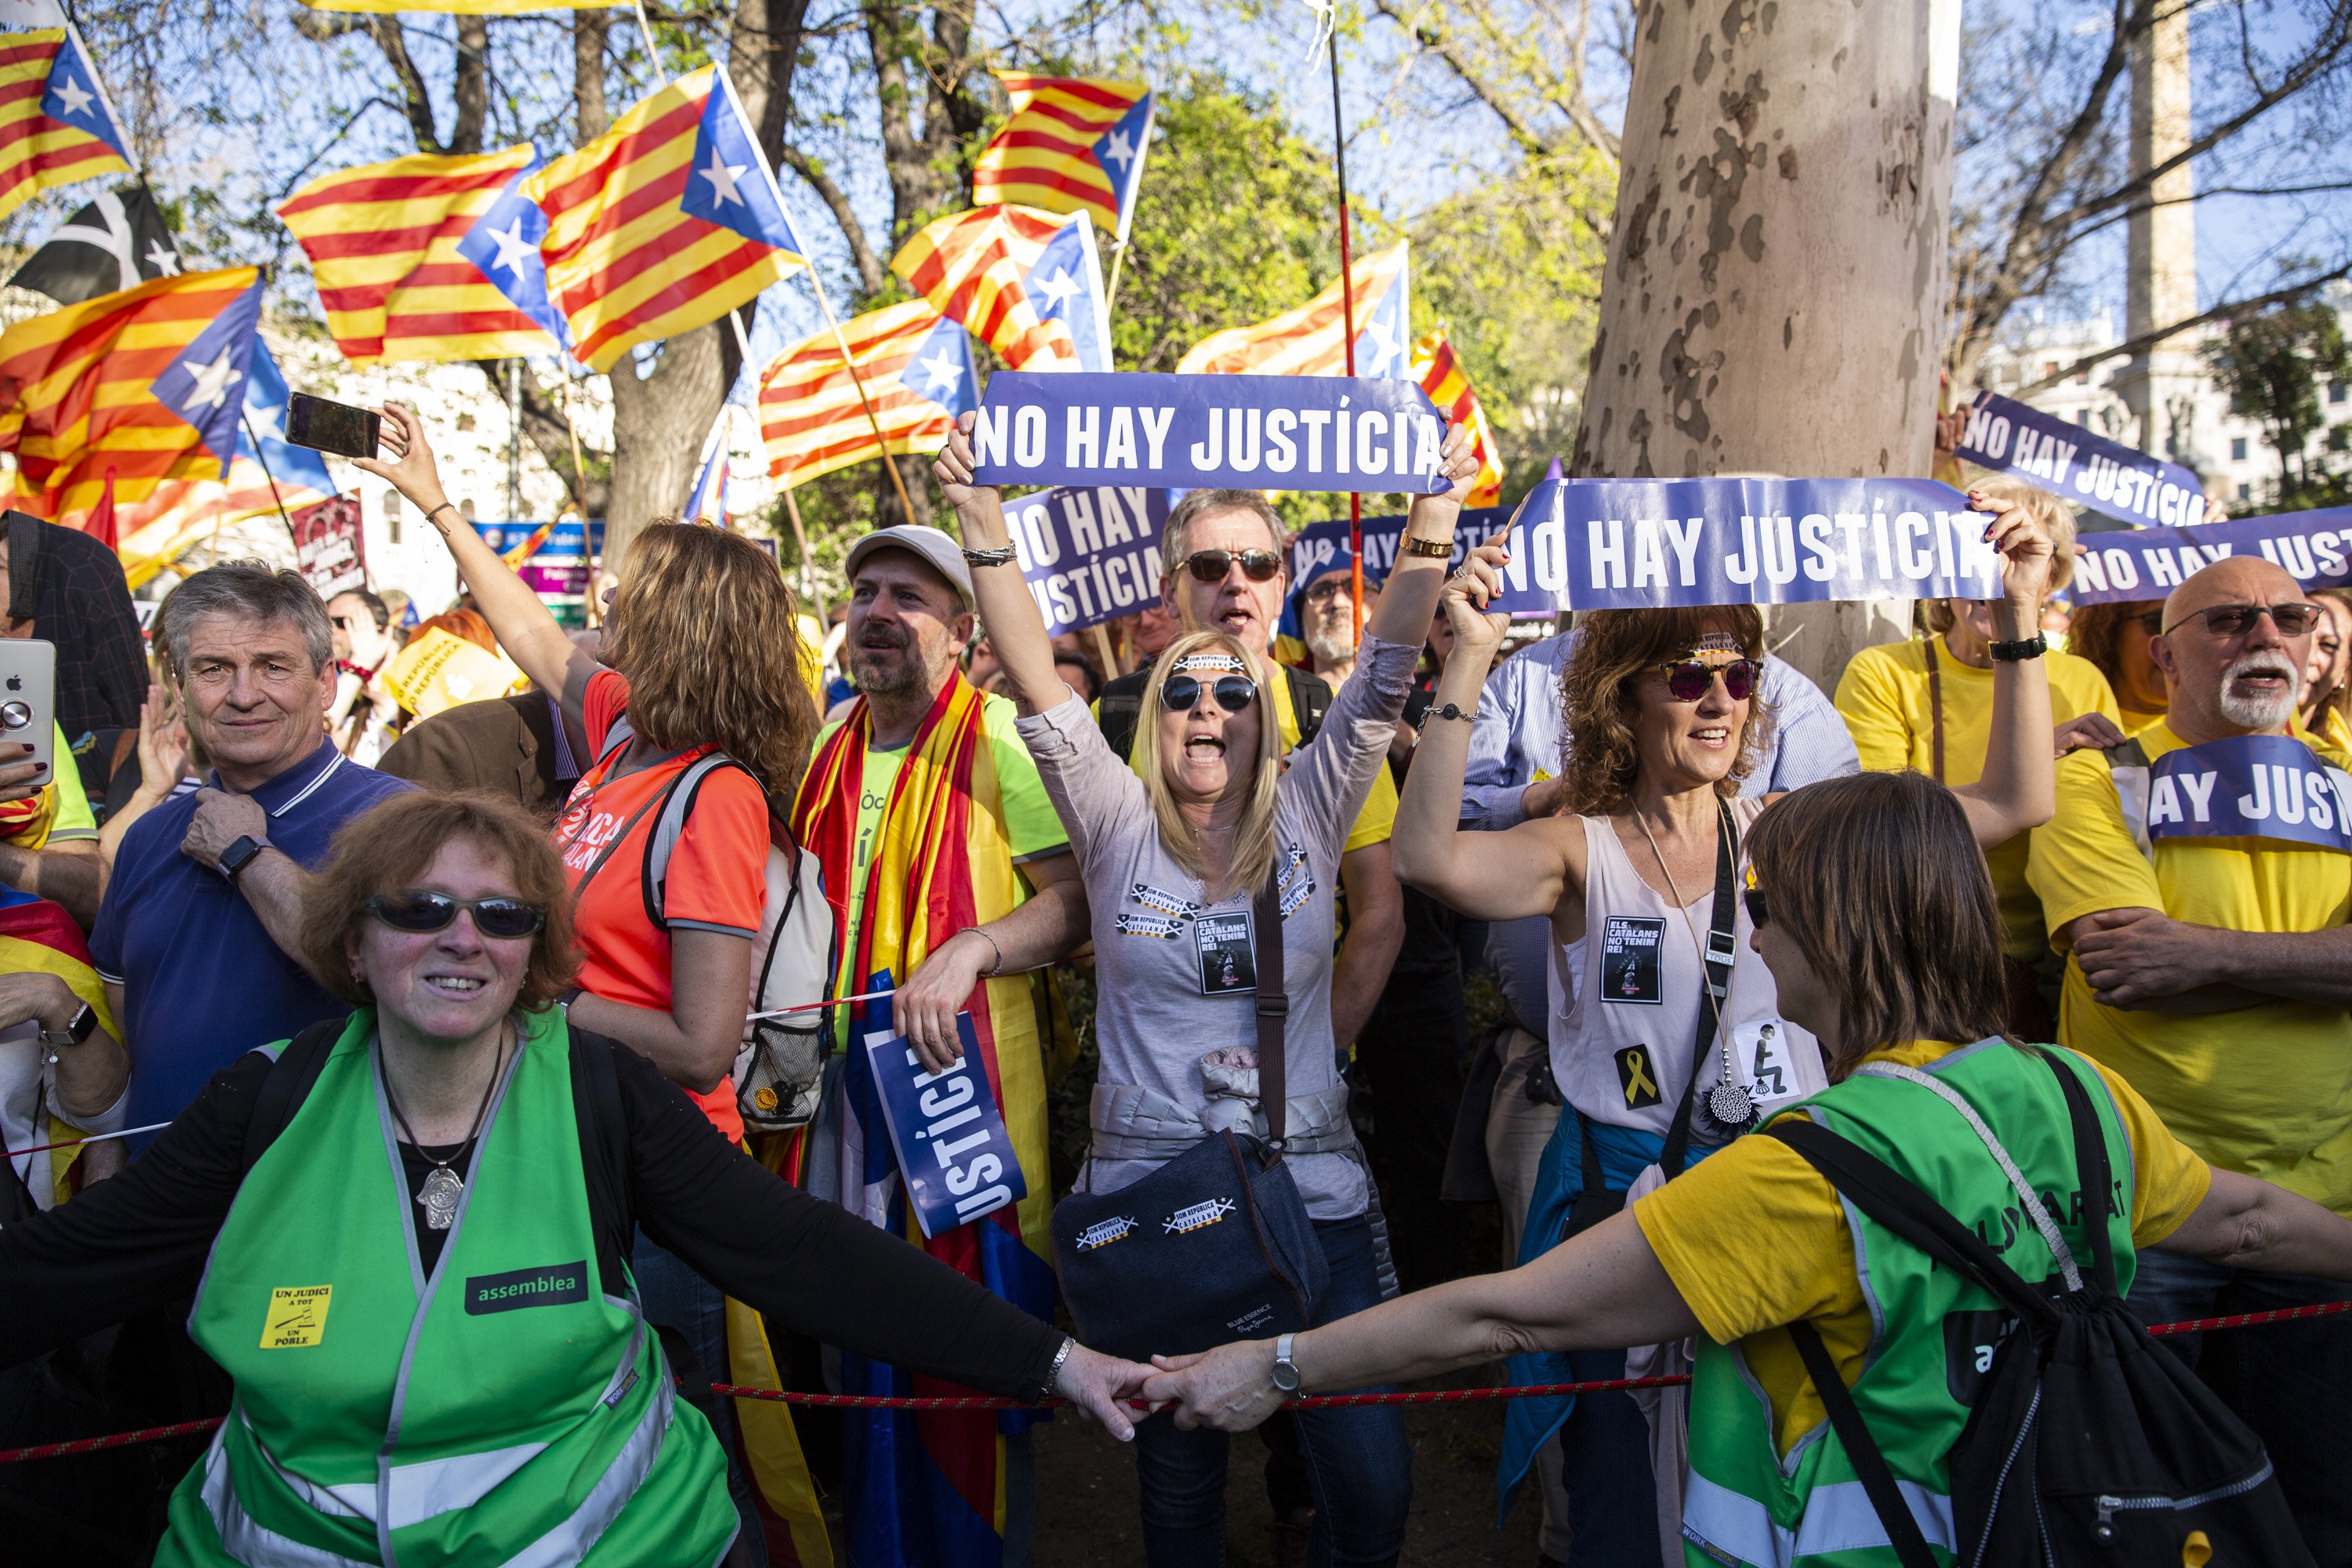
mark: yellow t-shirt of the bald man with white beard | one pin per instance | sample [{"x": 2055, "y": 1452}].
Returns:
[{"x": 2261, "y": 1090}]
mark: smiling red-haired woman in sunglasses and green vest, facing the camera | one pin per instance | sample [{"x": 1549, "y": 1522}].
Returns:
[{"x": 408, "y": 1235}]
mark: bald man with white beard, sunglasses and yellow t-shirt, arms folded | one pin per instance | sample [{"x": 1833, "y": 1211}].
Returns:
[{"x": 2200, "y": 878}]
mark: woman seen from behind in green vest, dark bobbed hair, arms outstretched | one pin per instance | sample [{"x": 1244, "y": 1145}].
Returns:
[{"x": 1883, "y": 932}]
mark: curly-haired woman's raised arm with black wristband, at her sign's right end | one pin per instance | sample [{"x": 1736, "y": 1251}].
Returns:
[{"x": 2019, "y": 786}]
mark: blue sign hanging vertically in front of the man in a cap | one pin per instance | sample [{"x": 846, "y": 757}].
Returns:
[{"x": 947, "y": 1130}]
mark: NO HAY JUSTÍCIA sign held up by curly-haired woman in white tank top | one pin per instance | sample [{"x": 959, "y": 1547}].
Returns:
[{"x": 1643, "y": 544}]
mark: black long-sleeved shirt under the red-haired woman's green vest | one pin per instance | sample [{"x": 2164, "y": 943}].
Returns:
[{"x": 142, "y": 1238}]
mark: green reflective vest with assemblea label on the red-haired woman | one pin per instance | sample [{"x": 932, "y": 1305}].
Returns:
[{"x": 502, "y": 1409}]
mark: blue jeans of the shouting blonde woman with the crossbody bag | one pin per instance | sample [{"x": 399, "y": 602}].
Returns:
[{"x": 1361, "y": 1466}]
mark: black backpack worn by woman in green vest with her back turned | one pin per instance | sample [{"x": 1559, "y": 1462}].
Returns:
[{"x": 2087, "y": 1442}]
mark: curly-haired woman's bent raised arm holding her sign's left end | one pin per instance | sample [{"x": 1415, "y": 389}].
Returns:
[{"x": 1485, "y": 876}]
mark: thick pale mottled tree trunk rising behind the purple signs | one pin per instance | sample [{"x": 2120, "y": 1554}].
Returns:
[{"x": 1777, "y": 274}]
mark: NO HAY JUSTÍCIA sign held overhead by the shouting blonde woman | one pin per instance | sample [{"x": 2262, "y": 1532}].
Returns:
[{"x": 1330, "y": 434}]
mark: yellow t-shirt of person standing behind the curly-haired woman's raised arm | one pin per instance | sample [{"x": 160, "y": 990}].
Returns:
[{"x": 1885, "y": 702}]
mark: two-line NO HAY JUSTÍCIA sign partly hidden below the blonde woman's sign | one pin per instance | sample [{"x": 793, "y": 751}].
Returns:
[{"x": 1090, "y": 556}]
